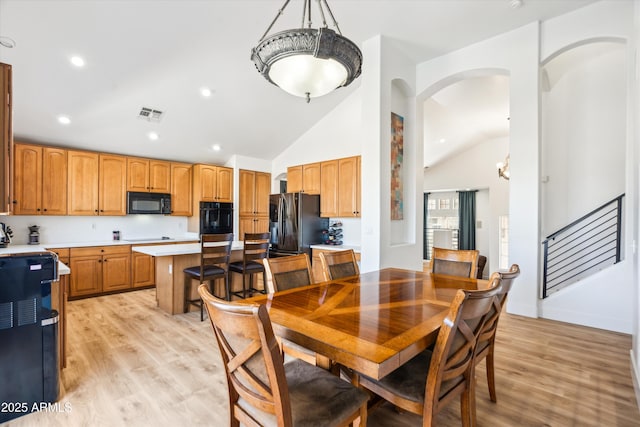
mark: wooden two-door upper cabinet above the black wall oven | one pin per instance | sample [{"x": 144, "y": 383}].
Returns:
[{"x": 212, "y": 184}]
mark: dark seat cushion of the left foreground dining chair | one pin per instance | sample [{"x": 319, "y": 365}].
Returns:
[{"x": 318, "y": 398}]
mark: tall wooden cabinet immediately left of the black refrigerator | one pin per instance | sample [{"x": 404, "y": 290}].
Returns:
[{"x": 254, "y": 190}]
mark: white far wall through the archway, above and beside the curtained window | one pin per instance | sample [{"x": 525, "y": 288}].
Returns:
[{"x": 475, "y": 168}]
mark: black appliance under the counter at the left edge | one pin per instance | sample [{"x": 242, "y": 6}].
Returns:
[{"x": 28, "y": 333}]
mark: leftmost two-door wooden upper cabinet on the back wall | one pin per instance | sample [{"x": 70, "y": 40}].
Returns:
[{"x": 40, "y": 180}]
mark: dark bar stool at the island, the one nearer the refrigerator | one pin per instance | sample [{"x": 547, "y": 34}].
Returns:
[{"x": 256, "y": 248}]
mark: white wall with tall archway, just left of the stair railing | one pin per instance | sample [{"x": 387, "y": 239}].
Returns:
[{"x": 516, "y": 54}]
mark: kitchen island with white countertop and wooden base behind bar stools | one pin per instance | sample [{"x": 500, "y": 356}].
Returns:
[{"x": 170, "y": 262}]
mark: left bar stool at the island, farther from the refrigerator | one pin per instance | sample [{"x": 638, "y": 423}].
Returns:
[{"x": 215, "y": 250}]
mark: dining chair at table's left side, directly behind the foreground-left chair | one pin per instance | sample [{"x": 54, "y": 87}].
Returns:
[{"x": 290, "y": 272}]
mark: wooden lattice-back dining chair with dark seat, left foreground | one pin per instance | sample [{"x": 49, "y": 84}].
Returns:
[{"x": 263, "y": 390}]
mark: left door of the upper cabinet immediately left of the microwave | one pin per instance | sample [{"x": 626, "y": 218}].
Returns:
[{"x": 82, "y": 194}]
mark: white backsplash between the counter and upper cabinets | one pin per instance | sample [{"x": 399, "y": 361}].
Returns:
[{"x": 62, "y": 229}]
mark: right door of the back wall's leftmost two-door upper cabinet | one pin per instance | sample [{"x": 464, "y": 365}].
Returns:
[{"x": 54, "y": 181}]
